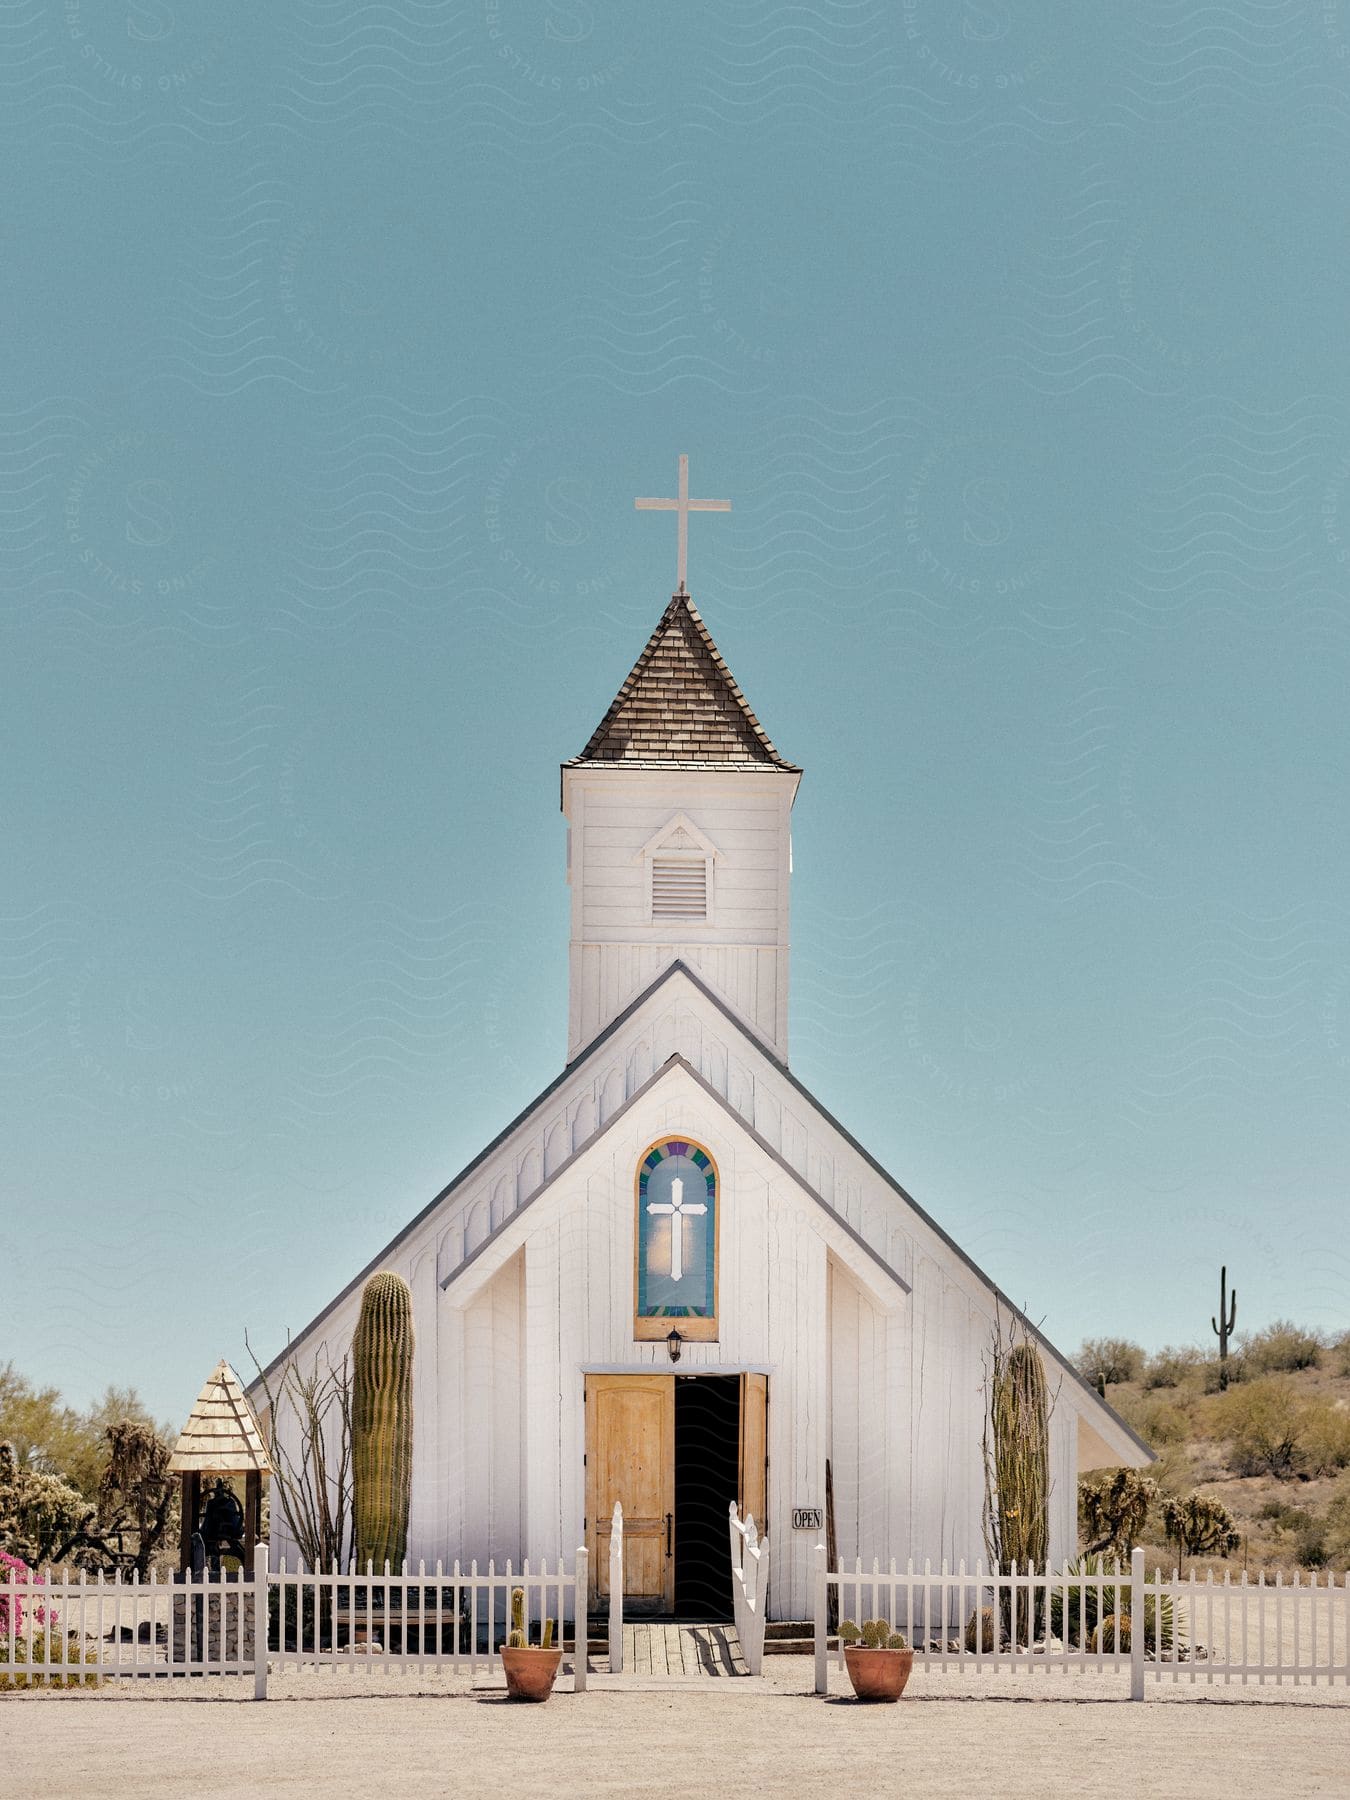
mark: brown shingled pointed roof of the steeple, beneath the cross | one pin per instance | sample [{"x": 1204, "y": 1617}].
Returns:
[{"x": 681, "y": 706}]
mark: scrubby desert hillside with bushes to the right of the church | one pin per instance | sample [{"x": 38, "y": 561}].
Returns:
[{"x": 1273, "y": 1446}]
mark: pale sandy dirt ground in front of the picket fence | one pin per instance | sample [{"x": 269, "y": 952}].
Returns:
[{"x": 323, "y": 1734}]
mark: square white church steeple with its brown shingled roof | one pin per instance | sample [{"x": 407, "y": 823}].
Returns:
[{"x": 679, "y": 843}]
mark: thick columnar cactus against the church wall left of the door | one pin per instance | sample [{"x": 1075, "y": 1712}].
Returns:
[{"x": 382, "y": 1423}]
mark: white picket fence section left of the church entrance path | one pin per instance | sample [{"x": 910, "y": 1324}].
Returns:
[{"x": 98, "y": 1630}]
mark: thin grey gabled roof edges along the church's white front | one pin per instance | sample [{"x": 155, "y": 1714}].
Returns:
[{"x": 593, "y": 1048}]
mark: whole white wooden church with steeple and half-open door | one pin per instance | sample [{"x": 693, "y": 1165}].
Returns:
[{"x": 676, "y": 1279}]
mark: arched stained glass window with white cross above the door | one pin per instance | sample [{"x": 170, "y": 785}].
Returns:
[{"x": 678, "y": 1230}]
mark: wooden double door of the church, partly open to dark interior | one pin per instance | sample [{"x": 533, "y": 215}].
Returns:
[{"x": 674, "y": 1452}]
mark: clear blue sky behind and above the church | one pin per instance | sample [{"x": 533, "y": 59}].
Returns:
[{"x": 337, "y": 348}]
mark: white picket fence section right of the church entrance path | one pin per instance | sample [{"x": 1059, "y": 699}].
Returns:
[{"x": 1066, "y": 1621}]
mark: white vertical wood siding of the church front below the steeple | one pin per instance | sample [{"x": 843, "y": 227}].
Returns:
[{"x": 890, "y": 1387}]
